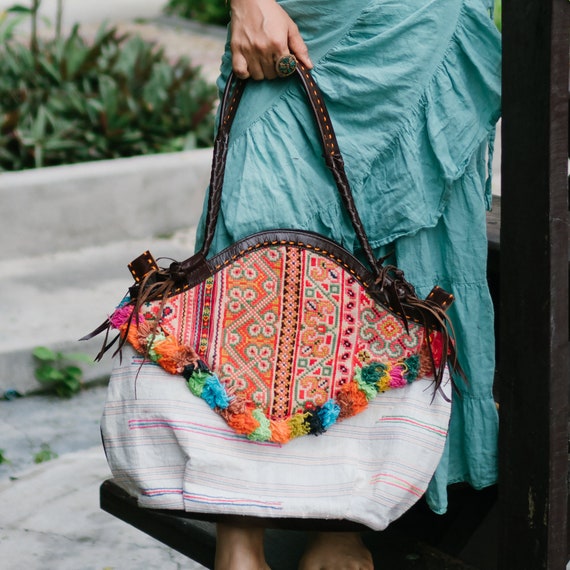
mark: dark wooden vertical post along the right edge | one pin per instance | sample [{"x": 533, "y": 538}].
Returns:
[{"x": 534, "y": 343}]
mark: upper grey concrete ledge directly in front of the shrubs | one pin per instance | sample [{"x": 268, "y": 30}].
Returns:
[{"x": 70, "y": 207}]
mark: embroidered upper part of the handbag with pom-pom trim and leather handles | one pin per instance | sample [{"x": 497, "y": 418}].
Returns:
[{"x": 284, "y": 332}]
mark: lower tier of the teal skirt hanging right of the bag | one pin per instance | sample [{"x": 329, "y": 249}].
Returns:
[{"x": 453, "y": 255}]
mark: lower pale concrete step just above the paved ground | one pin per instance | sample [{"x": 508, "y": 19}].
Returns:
[{"x": 55, "y": 299}]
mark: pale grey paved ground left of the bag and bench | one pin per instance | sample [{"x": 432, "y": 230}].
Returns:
[{"x": 49, "y": 514}]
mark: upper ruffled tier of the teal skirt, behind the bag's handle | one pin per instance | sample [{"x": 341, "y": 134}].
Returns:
[{"x": 432, "y": 101}]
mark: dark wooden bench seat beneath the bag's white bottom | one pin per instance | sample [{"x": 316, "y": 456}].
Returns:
[{"x": 420, "y": 540}]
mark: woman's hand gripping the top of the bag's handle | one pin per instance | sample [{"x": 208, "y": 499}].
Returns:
[{"x": 261, "y": 33}]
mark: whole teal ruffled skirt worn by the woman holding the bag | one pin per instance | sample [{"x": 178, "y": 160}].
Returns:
[{"x": 413, "y": 89}]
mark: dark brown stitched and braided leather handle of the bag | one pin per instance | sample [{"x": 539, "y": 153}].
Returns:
[{"x": 332, "y": 156}]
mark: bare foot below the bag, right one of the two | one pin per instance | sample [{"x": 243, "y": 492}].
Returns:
[{"x": 336, "y": 551}]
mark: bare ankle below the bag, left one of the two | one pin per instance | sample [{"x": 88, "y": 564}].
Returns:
[{"x": 239, "y": 547}]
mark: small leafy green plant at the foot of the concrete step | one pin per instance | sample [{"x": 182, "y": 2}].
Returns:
[{"x": 58, "y": 371}]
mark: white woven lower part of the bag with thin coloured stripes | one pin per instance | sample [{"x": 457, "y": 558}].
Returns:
[{"x": 170, "y": 450}]
